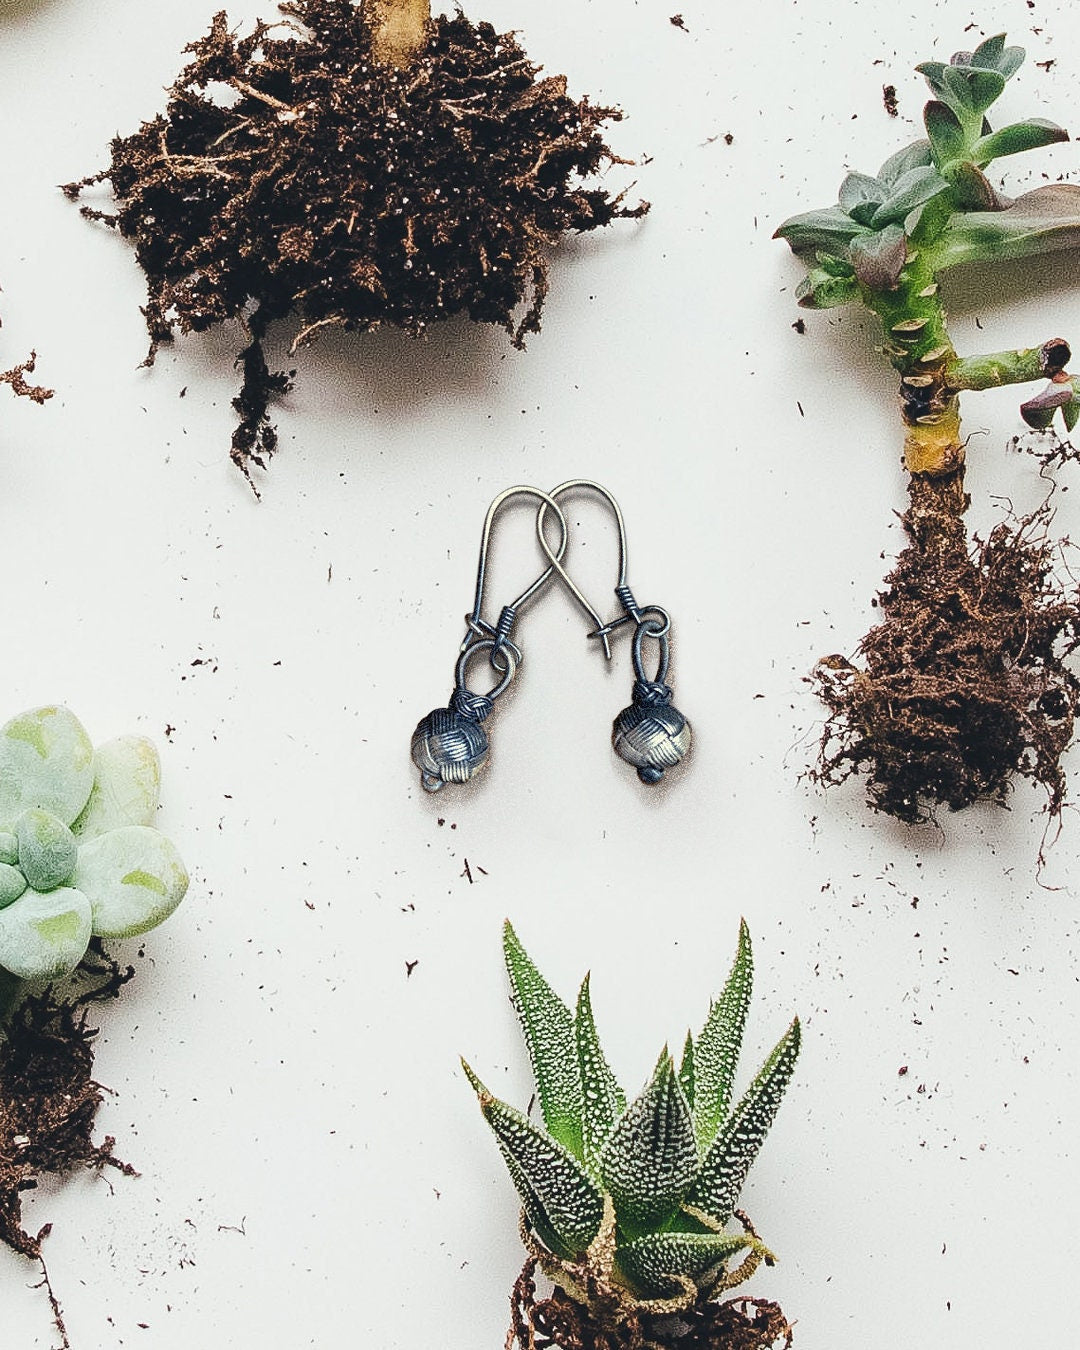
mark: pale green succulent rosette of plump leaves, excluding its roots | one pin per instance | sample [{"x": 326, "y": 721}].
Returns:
[{"x": 79, "y": 857}]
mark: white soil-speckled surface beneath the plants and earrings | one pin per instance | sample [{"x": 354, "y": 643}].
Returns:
[{"x": 314, "y": 1167}]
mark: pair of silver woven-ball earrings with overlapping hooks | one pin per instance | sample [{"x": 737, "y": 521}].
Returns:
[{"x": 450, "y": 746}]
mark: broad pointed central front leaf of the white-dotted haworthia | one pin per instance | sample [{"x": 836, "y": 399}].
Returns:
[{"x": 650, "y": 1160}]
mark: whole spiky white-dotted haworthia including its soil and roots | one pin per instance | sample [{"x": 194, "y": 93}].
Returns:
[{"x": 627, "y": 1206}]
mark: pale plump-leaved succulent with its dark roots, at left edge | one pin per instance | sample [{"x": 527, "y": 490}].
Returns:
[{"x": 80, "y": 862}]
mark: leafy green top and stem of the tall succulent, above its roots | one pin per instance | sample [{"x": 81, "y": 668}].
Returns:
[{"x": 929, "y": 209}]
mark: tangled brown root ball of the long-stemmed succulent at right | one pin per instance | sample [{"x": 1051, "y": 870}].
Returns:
[{"x": 963, "y": 684}]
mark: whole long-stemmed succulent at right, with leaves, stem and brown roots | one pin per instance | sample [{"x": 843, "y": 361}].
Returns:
[{"x": 963, "y": 686}]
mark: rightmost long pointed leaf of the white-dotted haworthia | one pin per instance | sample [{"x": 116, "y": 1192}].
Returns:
[{"x": 728, "y": 1162}]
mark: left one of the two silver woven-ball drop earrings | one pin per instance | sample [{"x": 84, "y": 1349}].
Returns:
[{"x": 450, "y": 746}]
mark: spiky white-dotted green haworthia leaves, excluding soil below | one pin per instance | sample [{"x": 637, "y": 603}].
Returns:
[{"x": 668, "y": 1166}]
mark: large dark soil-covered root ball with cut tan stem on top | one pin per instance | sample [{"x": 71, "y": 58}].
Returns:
[{"x": 352, "y": 167}]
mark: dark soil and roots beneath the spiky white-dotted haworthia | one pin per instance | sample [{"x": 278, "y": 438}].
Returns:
[{"x": 560, "y": 1324}]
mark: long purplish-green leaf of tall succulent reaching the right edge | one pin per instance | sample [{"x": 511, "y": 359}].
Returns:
[{"x": 1040, "y": 222}]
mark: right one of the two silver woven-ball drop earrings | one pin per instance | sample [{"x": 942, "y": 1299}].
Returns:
[{"x": 651, "y": 735}]
